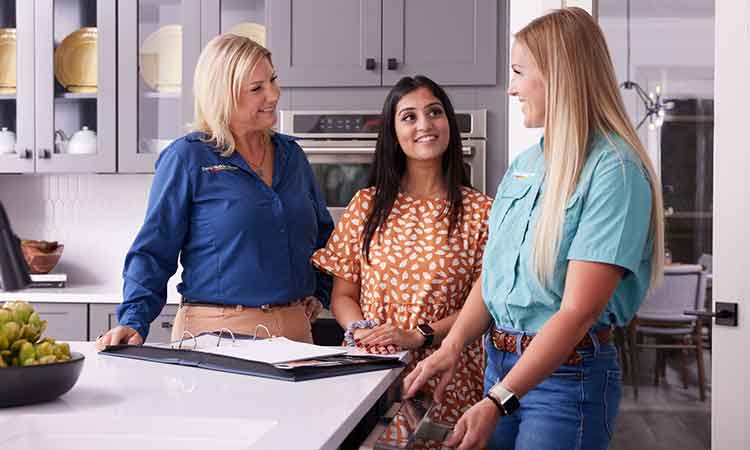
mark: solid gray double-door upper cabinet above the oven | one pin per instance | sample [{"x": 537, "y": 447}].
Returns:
[{"x": 336, "y": 43}]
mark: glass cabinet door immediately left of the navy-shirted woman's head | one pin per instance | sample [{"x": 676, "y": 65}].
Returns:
[{"x": 159, "y": 42}]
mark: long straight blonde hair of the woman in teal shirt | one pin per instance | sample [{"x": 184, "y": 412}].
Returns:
[{"x": 582, "y": 96}]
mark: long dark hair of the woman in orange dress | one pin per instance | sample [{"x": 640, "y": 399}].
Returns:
[{"x": 390, "y": 161}]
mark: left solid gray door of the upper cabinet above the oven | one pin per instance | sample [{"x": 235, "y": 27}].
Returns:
[{"x": 325, "y": 42}]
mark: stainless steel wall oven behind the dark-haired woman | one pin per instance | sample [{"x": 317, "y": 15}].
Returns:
[{"x": 340, "y": 146}]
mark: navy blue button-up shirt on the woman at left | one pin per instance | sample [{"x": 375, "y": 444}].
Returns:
[{"x": 239, "y": 241}]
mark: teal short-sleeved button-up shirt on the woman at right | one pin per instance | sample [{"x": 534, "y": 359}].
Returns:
[{"x": 607, "y": 220}]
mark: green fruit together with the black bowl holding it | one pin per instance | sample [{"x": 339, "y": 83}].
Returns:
[{"x": 32, "y": 369}]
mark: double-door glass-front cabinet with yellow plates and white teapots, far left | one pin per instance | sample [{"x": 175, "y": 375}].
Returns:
[{"x": 57, "y": 86}]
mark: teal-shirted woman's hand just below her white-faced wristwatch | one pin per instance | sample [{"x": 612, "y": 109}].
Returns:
[{"x": 474, "y": 429}]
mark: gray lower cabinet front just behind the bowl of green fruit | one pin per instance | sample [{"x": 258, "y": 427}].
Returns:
[{"x": 65, "y": 321}]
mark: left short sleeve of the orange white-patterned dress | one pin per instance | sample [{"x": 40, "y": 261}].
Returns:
[{"x": 341, "y": 257}]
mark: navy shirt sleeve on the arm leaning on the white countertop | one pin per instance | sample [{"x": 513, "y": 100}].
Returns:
[{"x": 152, "y": 259}]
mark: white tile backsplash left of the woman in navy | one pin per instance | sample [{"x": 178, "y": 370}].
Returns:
[{"x": 96, "y": 217}]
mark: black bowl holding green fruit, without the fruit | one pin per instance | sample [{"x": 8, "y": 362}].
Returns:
[{"x": 35, "y": 384}]
